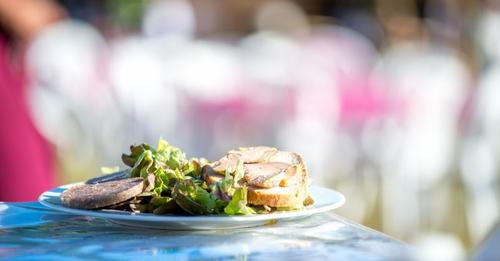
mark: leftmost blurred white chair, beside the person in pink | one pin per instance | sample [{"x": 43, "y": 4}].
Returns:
[{"x": 72, "y": 103}]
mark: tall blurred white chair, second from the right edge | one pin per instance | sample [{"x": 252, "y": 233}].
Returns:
[{"x": 432, "y": 81}]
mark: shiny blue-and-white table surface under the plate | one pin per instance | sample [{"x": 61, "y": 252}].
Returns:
[{"x": 30, "y": 231}]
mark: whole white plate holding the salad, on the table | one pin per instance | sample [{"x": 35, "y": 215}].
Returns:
[{"x": 325, "y": 200}]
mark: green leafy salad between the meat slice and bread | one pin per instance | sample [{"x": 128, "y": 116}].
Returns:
[{"x": 176, "y": 185}]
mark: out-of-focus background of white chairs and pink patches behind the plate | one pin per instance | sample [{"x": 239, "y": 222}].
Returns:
[{"x": 396, "y": 104}]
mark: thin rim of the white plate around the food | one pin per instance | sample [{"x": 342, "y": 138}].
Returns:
[{"x": 148, "y": 217}]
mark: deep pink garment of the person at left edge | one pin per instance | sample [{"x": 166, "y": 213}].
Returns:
[{"x": 25, "y": 157}]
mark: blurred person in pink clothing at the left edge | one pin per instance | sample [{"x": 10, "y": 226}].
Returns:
[{"x": 26, "y": 158}]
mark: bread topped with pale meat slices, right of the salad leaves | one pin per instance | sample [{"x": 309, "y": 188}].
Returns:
[{"x": 274, "y": 178}]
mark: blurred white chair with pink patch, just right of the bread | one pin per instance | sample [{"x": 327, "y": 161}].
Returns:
[{"x": 332, "y": 84}]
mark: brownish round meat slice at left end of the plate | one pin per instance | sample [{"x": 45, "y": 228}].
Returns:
[{"x": 92, "y": 196}]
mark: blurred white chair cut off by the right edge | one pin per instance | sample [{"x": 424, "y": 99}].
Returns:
[{"x": 479, "y": 157}]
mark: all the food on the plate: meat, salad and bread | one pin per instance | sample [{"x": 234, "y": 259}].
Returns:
[{"x": 163, "y": 181}]
